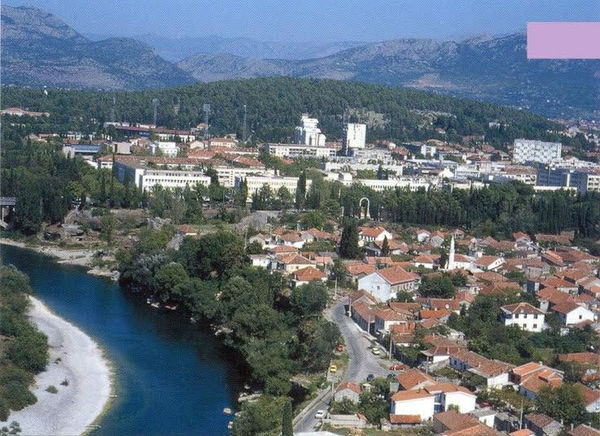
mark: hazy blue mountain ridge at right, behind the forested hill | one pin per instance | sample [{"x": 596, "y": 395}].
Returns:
[{"x": 488, "y": 69}]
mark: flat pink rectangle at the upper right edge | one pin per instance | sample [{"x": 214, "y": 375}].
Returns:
[{"x": 563, "y": 40}]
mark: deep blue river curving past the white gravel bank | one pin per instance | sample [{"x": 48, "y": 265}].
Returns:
[{"x": 171, "y": 377}]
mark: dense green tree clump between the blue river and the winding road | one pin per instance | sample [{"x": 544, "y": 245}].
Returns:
[{"x": 210, "y": 277}]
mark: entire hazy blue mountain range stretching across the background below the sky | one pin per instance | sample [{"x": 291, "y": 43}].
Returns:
[{"x": 39, "y": 49}]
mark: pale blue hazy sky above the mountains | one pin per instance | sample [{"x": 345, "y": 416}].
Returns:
[{"x": 312, "y": 20}]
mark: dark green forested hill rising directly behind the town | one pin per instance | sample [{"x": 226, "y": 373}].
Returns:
[{"x": 274, "y": 106}]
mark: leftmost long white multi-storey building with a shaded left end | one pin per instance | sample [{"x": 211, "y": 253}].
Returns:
[{"x": 145, "y": 178}]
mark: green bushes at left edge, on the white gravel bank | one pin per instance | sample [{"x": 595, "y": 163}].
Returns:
[{"x": 24, "y": 349}]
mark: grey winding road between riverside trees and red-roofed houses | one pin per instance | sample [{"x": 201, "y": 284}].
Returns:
[{"x": 361, "y": 363}]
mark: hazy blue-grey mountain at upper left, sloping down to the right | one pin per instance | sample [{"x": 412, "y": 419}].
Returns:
[{"x": 39, "y": 49}]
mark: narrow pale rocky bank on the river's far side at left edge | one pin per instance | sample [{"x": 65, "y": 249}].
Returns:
[{"x": 79, "y": 257}]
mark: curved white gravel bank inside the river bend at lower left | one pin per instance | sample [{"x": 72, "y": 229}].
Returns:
[{"x": 77, "y": 369}]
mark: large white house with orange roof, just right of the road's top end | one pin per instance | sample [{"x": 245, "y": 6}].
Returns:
[{"x": 384, "y": 284}]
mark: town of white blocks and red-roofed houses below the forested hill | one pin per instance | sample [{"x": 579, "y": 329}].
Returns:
[{"x": 442, "y": 329}]
